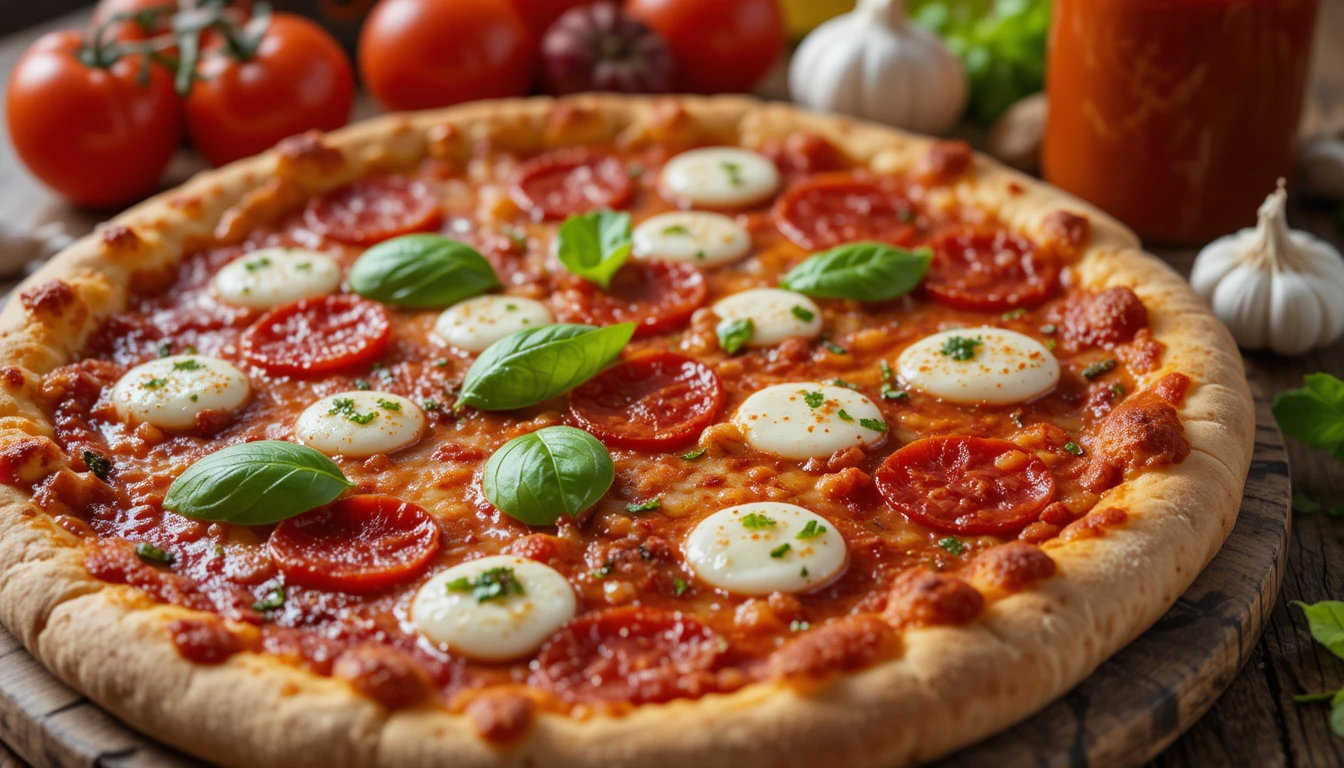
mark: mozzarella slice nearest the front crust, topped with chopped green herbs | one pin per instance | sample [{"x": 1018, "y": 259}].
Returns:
[{"x": 494, "y": 609}]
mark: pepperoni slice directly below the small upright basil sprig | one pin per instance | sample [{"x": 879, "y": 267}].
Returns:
[{"x": 655, "y": 295}]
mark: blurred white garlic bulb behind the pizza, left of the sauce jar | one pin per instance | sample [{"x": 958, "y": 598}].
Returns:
[{"x": 874, "y": 64}]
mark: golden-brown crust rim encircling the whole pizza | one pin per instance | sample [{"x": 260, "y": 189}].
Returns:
[{"x": 948, "y": 688}]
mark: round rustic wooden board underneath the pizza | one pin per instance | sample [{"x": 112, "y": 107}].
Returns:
[{"x": 1126, "y": 714}]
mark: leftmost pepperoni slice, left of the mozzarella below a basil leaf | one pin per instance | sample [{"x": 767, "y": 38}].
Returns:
[{"x": 315, "y": 337}]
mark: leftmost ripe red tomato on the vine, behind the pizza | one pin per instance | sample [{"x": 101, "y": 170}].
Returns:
[{"x": 96, "y": 135}]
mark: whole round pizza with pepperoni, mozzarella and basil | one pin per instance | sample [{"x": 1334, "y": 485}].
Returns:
[{"x": 605, "y": 432}]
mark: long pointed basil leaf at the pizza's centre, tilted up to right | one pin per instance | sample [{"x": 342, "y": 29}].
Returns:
[{"x": 540, "y": 364}]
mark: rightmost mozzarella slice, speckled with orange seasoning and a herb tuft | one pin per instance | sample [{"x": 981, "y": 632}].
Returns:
[{"x": 1006, "y": 367}]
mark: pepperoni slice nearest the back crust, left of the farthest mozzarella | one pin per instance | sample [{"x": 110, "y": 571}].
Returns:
[{"x": 566, "y": 182}]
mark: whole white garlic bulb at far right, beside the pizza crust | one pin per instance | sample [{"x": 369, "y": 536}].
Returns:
[{"x": 1273, "y": 287}]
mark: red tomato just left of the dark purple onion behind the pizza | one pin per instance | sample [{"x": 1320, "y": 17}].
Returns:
[{"x": 419, "y": 54}]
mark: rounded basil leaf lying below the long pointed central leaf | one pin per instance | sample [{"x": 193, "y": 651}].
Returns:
[{"x": 553, "y": 471}]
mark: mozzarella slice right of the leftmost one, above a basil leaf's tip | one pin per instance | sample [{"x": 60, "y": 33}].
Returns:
[{"x": 360, "y": 424}]
